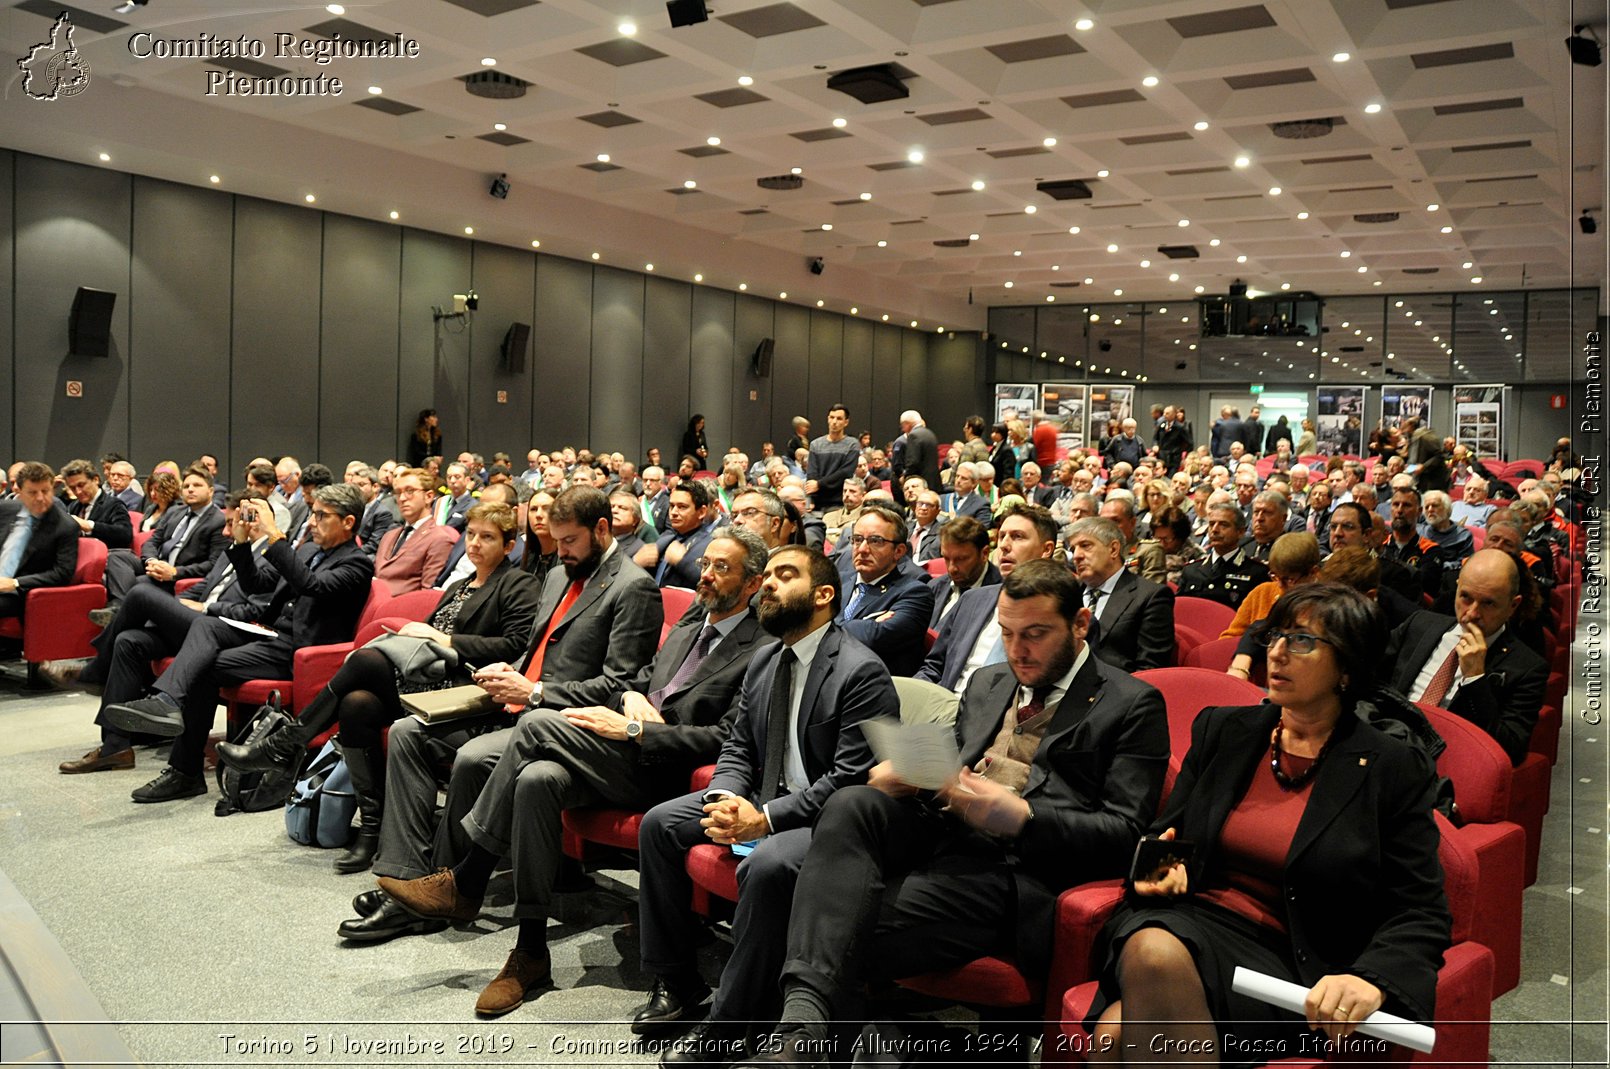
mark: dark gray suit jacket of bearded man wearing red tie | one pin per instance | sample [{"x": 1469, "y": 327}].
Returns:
[{"x": 606, "y": 638}]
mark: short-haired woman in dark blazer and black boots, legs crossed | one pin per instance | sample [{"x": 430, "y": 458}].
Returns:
[{"x": 484, "y": 619}]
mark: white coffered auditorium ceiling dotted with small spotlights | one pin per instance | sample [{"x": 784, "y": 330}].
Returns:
[{"x": 1339, "y": 147}]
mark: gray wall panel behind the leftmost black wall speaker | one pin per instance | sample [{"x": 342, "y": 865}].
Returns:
[{"x": 72, "y": 231}]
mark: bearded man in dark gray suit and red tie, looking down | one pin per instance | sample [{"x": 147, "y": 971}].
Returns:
[{"x": 597, "y": 627}]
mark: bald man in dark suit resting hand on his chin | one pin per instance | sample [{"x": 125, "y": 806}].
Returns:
[{"x": 1474, "y": 664}]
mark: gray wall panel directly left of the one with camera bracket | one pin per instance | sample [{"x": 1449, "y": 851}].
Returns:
[{"x": 358, "y": 373}]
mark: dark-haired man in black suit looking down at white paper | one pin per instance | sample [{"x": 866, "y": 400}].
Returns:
[{"x": 975, "y": 869}]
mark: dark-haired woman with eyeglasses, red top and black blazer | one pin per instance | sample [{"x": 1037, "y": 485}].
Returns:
[{"x": 1316, "y": 862}]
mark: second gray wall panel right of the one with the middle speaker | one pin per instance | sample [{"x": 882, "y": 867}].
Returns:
[{"x": 617, "y": 361}]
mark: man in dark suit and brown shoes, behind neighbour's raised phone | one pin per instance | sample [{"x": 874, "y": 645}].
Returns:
[{"x": 149, "y": 625}]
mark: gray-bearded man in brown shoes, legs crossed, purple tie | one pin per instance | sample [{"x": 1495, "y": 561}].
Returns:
[{"x": 630, "y": 753}]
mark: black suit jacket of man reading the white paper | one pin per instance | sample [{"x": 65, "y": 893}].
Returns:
[{"x": 1094, "y": 783}]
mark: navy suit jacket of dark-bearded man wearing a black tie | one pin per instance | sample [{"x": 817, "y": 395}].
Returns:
[{"x": 846, "y": 685}]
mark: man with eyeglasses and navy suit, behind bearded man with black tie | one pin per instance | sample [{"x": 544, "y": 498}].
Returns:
[{"x": 886, "y": 608}]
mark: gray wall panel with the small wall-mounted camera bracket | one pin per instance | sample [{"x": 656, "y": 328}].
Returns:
[{"x": 432, "y": 358}]
